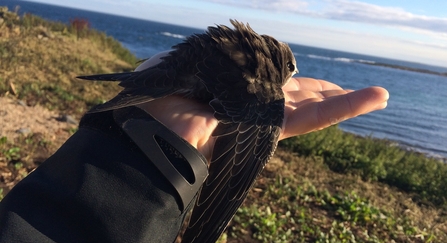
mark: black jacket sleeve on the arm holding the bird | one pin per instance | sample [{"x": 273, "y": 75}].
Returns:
[{"x": 98, "y": 187}]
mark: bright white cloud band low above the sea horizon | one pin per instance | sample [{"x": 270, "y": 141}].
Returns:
[{"x": 428, "y": 51}]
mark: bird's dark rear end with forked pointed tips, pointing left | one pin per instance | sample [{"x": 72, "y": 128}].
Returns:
[{"x": 174, "y": 74}]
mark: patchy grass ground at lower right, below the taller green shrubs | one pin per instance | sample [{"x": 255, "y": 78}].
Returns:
[{"x": 298, "y": 199}]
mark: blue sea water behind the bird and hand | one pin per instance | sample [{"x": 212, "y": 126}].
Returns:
[{"x": 416, "y": 116}]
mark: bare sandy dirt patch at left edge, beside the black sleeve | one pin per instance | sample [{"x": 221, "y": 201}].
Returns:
[{"x": 35, "y": 132}]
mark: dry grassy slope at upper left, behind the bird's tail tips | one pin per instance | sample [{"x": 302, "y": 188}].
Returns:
[{"x": 40, "y": 60}]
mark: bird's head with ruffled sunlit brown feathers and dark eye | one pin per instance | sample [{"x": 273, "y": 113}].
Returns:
[{"x": 261, "y": 57}]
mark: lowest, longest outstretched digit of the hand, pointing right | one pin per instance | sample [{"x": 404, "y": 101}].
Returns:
[{"x": 314, "y": 116}]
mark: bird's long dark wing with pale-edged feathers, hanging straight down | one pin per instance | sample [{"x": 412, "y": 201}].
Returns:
[{"x": 240, "y": 153}]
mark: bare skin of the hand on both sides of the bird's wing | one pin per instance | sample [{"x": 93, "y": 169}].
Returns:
[{"x": 311, "y": 105}]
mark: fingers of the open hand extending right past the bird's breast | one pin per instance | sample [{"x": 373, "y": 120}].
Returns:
[{"x": 313, "y": 104}]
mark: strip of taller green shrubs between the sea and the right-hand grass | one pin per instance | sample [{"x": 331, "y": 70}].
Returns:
[{"x": 376, "y": 160}]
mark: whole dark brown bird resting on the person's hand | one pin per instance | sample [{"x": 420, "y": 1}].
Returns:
[{"x": 240, "y": 74}]
